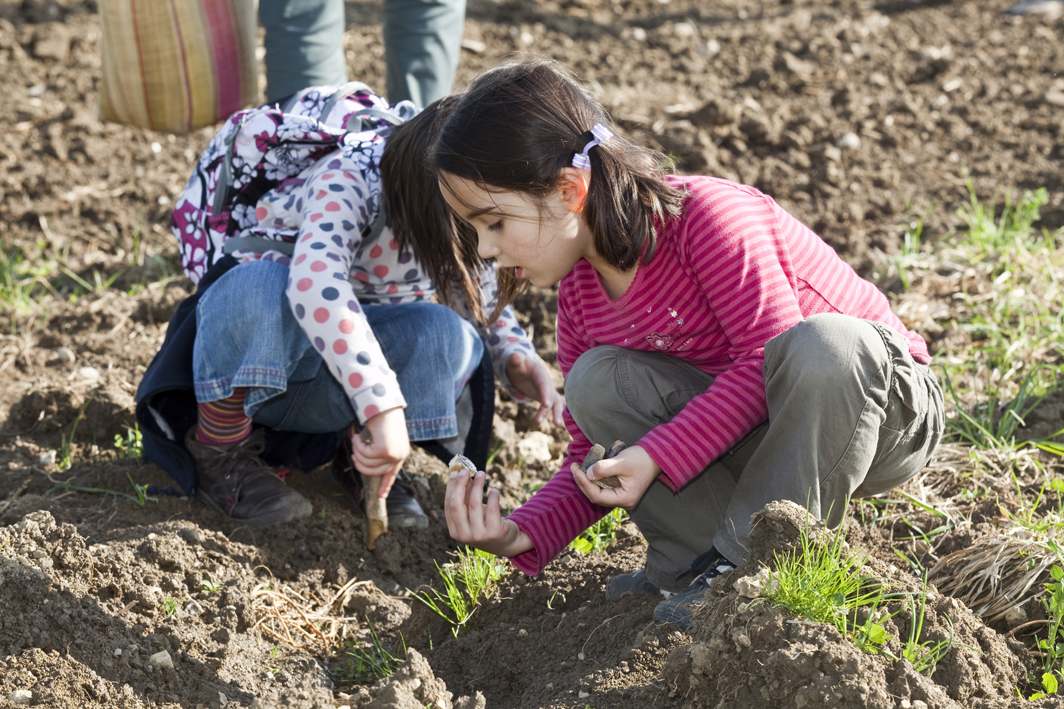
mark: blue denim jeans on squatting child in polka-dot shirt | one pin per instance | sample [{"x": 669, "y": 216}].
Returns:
[{"x": 247, "y": 338}]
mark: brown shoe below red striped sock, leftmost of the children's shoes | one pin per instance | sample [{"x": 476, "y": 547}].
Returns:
[{"x": 239, "y": 484}]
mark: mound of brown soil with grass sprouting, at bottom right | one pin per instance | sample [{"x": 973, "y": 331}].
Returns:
[{"x": 795, "y": 663}]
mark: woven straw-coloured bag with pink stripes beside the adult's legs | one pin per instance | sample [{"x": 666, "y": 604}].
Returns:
[{"x": 177, "y": 65}]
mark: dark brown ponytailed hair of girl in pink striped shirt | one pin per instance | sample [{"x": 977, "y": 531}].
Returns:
[{"x": 518, "y": 127}]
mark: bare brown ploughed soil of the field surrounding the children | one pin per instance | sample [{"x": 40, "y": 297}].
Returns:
[{"x": 862, "y": 119}]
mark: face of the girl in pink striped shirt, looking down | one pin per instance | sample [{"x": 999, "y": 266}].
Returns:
[{"x": 542, "y": 240}]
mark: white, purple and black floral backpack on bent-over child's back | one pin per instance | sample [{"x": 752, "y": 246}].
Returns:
[{"x": 260, "y": 149}]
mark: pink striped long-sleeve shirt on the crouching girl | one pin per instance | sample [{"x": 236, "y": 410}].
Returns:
[{"x": 730, "y": 274}]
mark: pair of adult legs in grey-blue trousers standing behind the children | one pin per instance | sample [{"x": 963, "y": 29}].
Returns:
[{"x": 305, "y": 46}]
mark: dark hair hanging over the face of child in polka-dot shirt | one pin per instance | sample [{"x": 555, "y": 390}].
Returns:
[{"x": 418, "y": 213}]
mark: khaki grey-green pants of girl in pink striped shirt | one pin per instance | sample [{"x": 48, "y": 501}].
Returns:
[{"x": 850, "y": 415}]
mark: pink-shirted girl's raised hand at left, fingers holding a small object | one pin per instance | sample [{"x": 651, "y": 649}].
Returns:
[{"x": 471, "y": 521}]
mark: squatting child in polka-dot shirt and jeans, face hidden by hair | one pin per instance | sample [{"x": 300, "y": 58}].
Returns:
[{"x": 346, "y": 333}]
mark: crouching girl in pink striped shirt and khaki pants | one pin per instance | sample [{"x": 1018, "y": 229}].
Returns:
[{"x": 738, "y": 357}]
